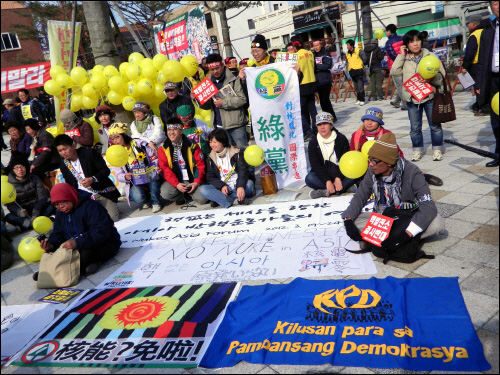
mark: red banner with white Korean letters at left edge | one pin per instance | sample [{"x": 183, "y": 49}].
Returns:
[{"x": 25, "y": 76}]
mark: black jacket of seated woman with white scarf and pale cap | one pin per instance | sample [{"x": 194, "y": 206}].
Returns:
[{"x": 325, "y": 169}]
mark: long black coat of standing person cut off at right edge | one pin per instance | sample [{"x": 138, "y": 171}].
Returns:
[{"x": 483, "y": 66}]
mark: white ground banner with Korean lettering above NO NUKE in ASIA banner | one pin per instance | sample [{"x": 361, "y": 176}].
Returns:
[{"x": 264, "y": 219}]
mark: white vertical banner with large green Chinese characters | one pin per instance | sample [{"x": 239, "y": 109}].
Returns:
[{"x": 274, "y": 96}]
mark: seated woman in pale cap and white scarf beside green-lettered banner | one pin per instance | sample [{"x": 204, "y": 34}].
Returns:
[{"x": 325, "y": 151}]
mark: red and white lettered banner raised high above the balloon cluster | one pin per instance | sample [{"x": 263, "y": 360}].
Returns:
[{"x": 184, "y": 35}]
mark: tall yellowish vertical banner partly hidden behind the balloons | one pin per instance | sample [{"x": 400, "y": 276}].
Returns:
[{"x": 60, "y": 44}]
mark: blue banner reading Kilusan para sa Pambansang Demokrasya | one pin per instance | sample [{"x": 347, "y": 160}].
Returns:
[{"x": 416, "y": 324}]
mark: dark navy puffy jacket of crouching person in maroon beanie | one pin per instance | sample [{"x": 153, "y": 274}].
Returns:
[{"x": 89, "y": 224}]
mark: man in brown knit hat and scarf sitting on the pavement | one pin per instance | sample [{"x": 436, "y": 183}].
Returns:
[{"x": 396, "y": 183}]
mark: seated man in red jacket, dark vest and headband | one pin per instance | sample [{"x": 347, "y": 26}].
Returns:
[{"x": 181, "y": 162}]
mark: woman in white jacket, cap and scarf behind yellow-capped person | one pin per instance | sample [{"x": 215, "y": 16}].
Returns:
[{"x": 147, "y": 127}]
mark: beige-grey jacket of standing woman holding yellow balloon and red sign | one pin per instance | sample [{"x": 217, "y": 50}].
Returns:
[{"x": 406, "y": 67}]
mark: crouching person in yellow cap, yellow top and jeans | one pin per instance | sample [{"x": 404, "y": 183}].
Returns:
[{"x": 140, "y": 174}]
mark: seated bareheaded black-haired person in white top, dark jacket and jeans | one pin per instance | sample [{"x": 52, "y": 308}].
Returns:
[{"x": 227, "y": 173}]
